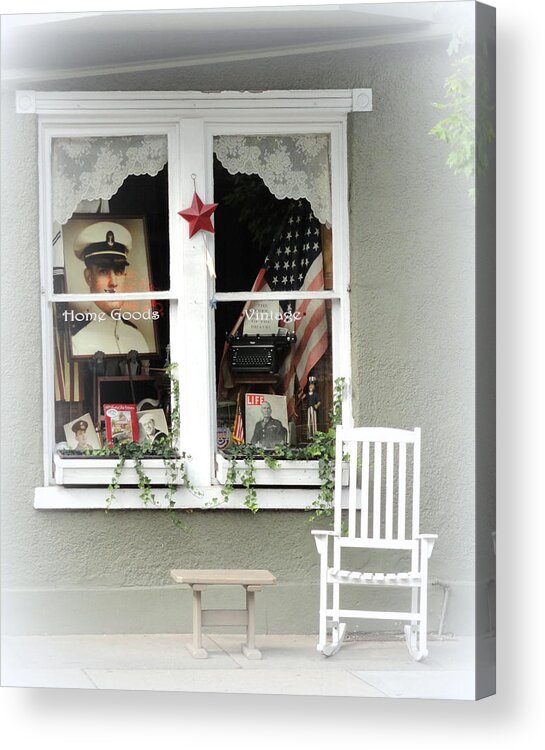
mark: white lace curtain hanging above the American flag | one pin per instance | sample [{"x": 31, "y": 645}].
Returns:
[{"x": 291, "y": 166}]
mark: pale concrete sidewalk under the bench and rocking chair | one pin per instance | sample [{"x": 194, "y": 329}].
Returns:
[{"x": 290, "y": 666}]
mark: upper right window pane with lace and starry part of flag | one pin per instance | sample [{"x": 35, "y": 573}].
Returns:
[{"x": 265, "y": 241}]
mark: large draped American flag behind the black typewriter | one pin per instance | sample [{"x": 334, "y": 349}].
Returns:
[{"x": 295, "y": 263}]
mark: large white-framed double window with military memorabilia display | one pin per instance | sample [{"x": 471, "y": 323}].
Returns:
[{"x": 115, "y": 170}]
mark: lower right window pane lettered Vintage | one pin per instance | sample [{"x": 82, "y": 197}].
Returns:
[{"x": 287, "y": 364}]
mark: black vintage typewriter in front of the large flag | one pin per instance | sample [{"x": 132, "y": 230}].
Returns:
[{"x": 258, "y": 354}]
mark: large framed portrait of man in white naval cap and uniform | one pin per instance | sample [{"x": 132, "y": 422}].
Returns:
[{"x": 108, "y": 255}]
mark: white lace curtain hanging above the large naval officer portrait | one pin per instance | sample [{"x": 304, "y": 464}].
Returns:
[{"x": 92, "y": 169}]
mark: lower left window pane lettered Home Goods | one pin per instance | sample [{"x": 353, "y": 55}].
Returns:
[{"x": 108, "y": 356}]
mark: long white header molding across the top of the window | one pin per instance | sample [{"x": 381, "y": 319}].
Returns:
[{"x": 193, "y": 103}]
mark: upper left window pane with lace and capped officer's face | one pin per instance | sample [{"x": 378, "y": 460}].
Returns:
[{"x": 110, "y": 199}]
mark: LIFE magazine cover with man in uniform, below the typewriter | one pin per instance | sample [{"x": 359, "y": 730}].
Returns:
[{"x": 266, "y": 419}]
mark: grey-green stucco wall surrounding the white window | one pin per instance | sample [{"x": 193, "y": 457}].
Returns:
[{"x": 412, "y": 239}]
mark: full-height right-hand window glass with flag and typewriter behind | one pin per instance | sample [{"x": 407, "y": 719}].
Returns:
[{"x": 274, "y": 240}]
